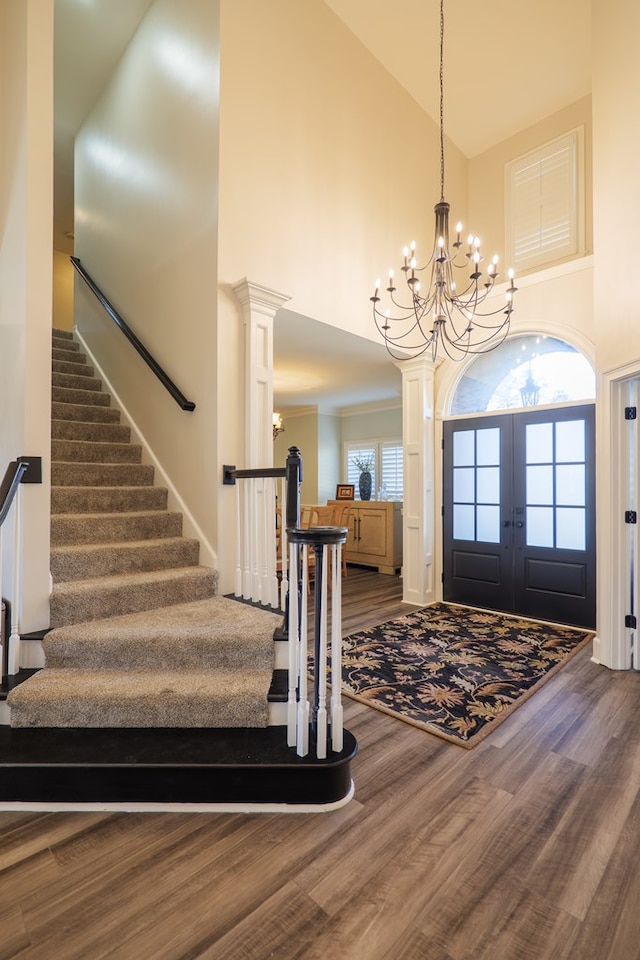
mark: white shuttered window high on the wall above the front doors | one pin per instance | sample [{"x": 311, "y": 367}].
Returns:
[{"x": 545, "y": 203}]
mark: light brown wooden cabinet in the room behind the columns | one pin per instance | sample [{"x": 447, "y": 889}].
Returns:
[{"x": 375, "y": 534}]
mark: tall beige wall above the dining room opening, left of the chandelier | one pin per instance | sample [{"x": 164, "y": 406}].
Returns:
[{"x": 328, "y": 168}]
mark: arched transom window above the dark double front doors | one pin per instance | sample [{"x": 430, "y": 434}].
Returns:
[{"x": 525, "y": 371}]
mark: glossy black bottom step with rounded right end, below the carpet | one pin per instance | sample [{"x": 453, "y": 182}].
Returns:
[{"x": 47, "y": 765}]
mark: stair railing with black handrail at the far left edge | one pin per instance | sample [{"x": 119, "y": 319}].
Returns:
[{"x": 10, "y": 509}]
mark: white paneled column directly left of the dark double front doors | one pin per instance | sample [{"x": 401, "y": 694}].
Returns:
[{"x": 418, "y": 518}]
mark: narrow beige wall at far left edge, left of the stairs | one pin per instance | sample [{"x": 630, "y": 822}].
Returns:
[{"x": 26, "y": 200}]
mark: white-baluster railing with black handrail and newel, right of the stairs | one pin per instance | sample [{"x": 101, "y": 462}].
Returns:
[{"x": 273, "y": 555}]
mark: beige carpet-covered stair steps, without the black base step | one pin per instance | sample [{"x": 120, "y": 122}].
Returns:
[{"x": 139, "y": 637}]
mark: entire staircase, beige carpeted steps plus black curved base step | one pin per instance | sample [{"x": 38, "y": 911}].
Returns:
[{"x": 155, "y": 690}]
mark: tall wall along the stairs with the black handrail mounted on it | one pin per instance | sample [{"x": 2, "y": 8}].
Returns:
[{"x": 146, "y": 229}]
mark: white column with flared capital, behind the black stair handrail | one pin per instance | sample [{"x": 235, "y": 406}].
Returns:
[{"x": 259, "y": 306}]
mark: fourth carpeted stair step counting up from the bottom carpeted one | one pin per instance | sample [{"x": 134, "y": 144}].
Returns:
[{"x": 136, "y": 556}]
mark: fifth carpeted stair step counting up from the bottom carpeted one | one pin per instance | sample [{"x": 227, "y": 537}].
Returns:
[{"x": 70, "y": 528}]
